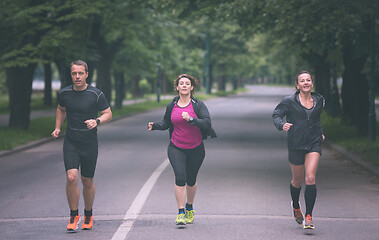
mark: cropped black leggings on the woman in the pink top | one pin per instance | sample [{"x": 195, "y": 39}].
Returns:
[{"x": 186, "y": 163}]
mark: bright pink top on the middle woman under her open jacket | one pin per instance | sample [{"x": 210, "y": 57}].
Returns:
[{"x": 185, "y": 135}]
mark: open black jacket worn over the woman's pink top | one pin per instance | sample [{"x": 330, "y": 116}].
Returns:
[{"x": 203, "y": 120}]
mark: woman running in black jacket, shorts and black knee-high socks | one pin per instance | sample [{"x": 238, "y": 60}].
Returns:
[{"x": 302, "y": 112}]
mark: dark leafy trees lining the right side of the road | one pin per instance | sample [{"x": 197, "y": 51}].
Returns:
[{"x": 331, "y": 37}]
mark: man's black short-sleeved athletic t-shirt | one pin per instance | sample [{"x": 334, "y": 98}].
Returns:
[{"x": 81, "y": 106}]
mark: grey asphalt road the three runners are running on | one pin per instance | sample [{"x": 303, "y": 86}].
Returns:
[{"x": 243, "y": 184}]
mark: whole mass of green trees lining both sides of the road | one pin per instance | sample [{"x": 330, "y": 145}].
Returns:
[{"x": 159, "y": 39}]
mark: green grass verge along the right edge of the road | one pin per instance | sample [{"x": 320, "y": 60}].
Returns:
[{"x": 346, "y": 136}]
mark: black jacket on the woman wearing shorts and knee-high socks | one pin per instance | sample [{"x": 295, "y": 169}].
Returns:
[{"x": 306, "y": 131}]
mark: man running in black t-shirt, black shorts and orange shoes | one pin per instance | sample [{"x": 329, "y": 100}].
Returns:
[{"x": 80, "y": 103}]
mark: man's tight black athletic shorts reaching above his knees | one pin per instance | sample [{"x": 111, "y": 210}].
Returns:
[{"x": 83, "y": 154}]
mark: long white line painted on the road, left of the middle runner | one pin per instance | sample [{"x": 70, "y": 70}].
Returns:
[{"x": 134, "y": 210}]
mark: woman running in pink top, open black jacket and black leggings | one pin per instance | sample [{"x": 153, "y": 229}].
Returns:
[{"x": 189, "y": 122}]
